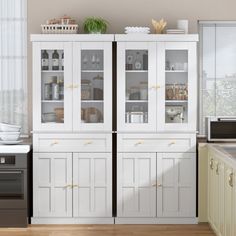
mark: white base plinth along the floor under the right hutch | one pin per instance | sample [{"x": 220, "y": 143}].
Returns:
[{"x": 185, "y": 220}]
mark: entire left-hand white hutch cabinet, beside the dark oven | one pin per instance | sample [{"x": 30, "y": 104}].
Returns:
[{"x": 72, "y": 128}]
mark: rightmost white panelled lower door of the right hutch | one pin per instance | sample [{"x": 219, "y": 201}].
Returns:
[{"x": 176, "y": 184}]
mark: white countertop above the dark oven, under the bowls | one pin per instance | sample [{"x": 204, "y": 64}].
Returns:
[{"x": 23, "y": 147}]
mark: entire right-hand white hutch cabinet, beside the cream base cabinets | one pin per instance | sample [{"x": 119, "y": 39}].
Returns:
[{"x": 156, "y": 126}]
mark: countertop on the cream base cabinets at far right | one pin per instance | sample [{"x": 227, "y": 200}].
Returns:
[{"x": 228, "y": 157}]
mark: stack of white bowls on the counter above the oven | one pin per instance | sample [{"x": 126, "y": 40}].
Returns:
[{"x": 9, "y": 134}]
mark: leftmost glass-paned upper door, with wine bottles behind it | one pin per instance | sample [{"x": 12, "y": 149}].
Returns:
[{"x": 53, "y": 87}]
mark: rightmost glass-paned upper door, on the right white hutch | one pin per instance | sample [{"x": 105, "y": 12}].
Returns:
[{"x": 179, "y": 84}]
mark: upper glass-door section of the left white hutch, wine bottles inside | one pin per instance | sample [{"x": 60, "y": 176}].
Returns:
[{"x": 72, "y": 82}]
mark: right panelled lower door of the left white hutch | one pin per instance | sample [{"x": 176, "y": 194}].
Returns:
[{"x": 92, "y": 185}]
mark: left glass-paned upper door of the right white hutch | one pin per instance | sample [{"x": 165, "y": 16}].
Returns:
[{"x": 136, "y": 86}]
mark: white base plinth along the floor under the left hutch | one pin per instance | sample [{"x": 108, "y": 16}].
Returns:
[{"x": 41, "y": 220}]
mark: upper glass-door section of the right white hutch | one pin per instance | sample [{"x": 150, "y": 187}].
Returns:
[{"x": 157, "y": 82}]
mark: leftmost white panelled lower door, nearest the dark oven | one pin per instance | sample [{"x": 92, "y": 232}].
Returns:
[{"x": 52, "y": 185}]
